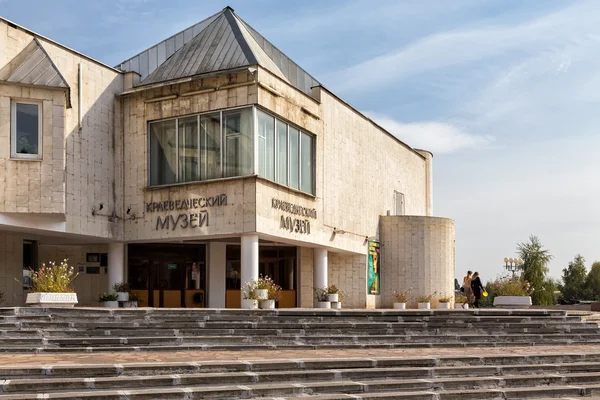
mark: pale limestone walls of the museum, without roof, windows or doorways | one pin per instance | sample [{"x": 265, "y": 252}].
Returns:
[{"x": 91, "y": 188}]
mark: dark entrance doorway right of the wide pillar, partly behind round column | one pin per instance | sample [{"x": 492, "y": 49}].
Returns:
[{"x": 278, "y": 263}]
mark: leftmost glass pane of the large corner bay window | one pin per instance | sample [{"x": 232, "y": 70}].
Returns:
[{"x": 163, "y": 153}]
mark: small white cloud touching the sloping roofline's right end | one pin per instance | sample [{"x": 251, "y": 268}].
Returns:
[{"x": 437, "y": 137}]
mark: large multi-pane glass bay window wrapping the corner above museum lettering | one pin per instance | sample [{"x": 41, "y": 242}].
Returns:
[{"x": 221, "y": 144}]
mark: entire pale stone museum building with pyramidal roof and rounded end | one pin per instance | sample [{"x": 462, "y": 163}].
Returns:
[{"x": 199, "y": 164}]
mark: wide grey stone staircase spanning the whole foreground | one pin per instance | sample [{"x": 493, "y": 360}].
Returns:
[{"x": 469, "y": 374}]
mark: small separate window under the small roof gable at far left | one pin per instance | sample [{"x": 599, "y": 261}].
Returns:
[{"x": 26, "y": 130}]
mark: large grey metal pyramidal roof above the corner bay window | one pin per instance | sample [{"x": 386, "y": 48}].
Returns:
[{"x": 221, "y": 42}]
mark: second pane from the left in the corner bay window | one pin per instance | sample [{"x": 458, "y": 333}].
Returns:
[{"x": 188, "y": 149}]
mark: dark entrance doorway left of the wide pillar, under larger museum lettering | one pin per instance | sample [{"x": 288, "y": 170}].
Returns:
[{"x": 170, "y": 276}]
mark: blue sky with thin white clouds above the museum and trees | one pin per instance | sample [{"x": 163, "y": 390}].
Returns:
[{"x": 505, "y": 93}]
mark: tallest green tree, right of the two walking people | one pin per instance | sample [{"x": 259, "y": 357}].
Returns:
[{"x": 535, "y": 266}]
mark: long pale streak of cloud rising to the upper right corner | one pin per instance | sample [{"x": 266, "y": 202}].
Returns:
[{"x": 463, "y": 47}]
